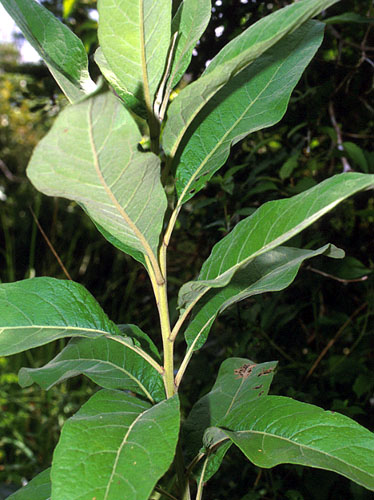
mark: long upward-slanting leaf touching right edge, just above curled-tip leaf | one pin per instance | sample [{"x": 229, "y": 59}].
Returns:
[{"x": 271, "y": 225}]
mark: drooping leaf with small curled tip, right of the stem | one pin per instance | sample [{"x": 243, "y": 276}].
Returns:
[{"x": 270, "y": 272}]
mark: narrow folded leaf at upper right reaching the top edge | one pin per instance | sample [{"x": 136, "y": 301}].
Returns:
[{"x": 232, "y": 59}]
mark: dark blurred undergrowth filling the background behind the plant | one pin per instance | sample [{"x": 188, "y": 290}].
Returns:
[{"x": 320, "y": 329}]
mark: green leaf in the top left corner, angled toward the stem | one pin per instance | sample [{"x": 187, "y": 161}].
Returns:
[{"x": 62, "y": 51}]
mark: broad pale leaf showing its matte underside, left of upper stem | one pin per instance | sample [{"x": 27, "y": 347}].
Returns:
[{"x": 91, "y": 156}]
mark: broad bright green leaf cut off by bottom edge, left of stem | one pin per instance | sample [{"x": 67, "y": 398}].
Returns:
[{"x": 116, "y": 446}]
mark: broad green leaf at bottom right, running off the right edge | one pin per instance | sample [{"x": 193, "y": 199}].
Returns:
[{"x": 275, "y": 430}]
